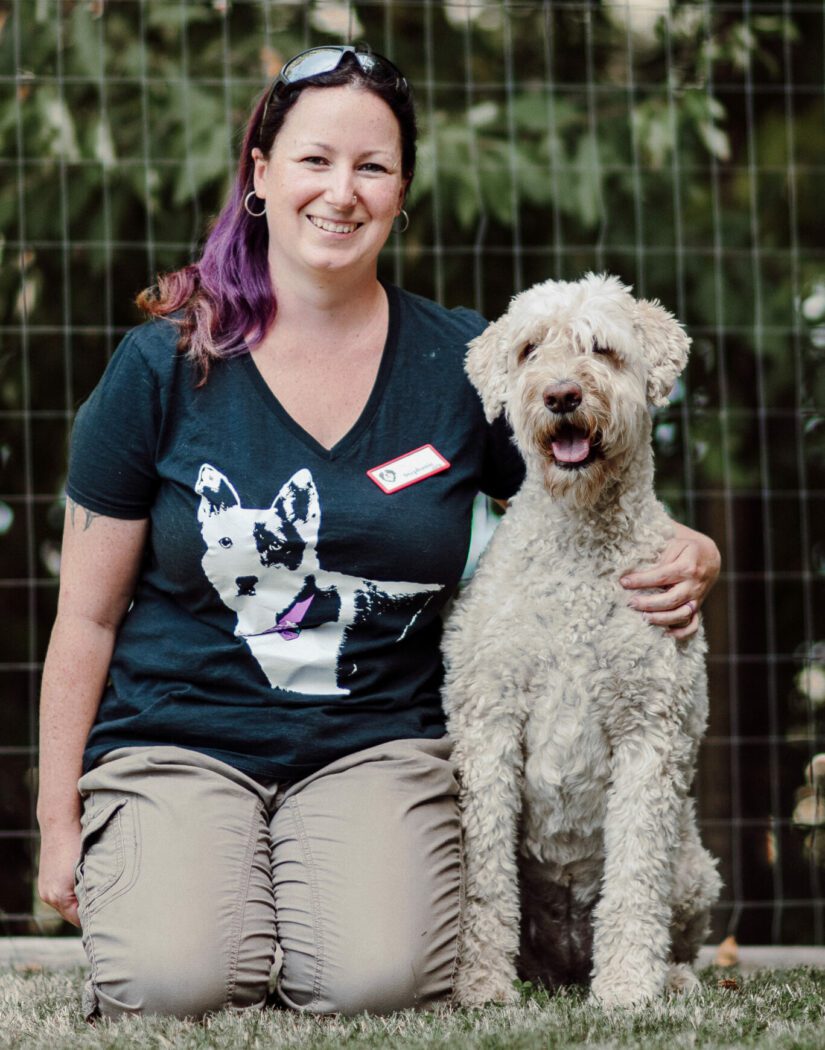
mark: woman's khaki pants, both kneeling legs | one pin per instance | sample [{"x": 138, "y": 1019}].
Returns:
[{"x": 192, "y": 873}]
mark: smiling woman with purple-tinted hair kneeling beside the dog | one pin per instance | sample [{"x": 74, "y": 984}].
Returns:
[{"x": 259, "y": 740}]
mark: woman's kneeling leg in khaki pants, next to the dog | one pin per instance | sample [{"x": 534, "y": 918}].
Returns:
[{"x": 367, "y": 863}]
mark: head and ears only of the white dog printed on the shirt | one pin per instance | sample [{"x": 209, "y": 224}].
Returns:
[{"x": 259, "y": 559}]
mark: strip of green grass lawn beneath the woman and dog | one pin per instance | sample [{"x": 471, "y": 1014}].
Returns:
[{"x": 779, "y": 1010}]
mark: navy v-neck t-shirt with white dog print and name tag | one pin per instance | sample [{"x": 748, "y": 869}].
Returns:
[{"x": 288, "y": 607}]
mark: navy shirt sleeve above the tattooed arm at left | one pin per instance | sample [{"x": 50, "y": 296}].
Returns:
[{"x": 113, "y": 451}]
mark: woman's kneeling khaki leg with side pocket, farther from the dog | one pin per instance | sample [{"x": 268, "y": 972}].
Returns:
[{"x": 175, "y": 886}]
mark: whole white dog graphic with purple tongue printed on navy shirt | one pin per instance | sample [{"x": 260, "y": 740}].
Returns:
[{"x": 293, "y": 615}]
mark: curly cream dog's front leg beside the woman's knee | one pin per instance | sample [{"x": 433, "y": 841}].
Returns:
[{"x": 489, "y": 754}]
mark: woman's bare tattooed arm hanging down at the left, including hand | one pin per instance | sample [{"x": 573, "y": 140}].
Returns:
[{"x": 99, "y": 566}]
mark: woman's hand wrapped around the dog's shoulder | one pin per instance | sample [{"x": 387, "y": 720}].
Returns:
[{"x": 685, "y": 575}]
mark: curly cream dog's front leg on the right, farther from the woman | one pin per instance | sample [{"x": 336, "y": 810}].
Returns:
[{"x": 631, "y": 937}]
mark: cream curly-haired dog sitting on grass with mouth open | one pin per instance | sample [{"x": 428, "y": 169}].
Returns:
[{"x": 577, "y": 724}]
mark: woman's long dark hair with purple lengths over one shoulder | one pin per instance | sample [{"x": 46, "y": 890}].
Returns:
[{"x": 224, "y": 303}]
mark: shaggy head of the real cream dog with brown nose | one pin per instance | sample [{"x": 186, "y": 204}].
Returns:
[{"x": 576, "y": 366}]
